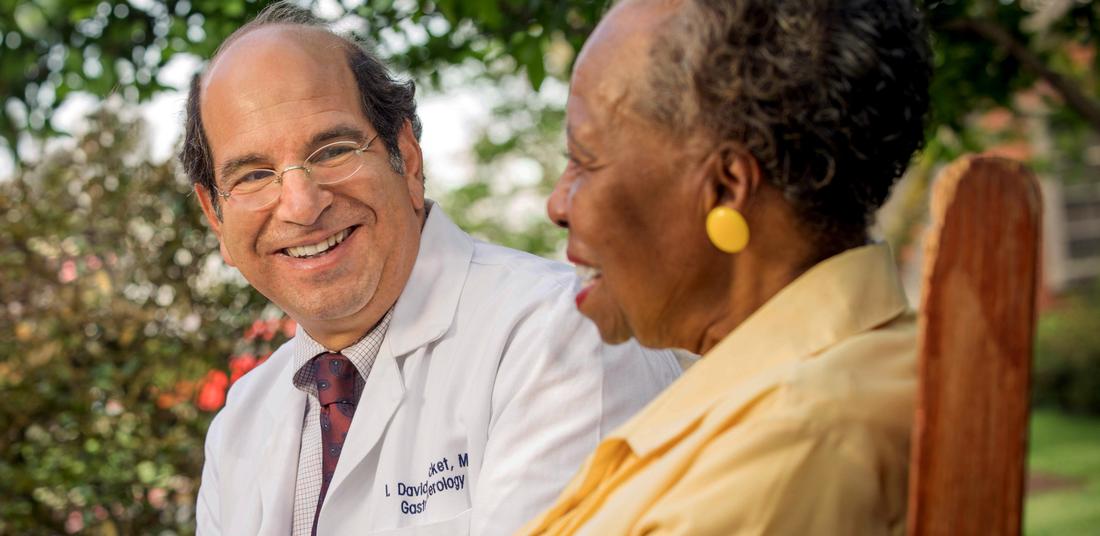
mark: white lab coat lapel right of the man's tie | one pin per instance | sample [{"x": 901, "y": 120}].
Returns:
[{"x": 423, "y": 314}]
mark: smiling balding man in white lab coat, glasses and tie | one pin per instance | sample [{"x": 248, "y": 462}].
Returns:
[{"x": 437, "y": 385}]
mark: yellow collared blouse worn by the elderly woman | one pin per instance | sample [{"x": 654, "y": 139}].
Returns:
[{"x": 797, "y": 423}]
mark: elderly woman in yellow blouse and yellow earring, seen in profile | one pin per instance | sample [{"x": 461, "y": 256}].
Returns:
[{"x": 727, "y": 160}]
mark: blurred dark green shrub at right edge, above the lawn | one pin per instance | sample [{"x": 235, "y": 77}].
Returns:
[{"x": 1068, "y": 357}]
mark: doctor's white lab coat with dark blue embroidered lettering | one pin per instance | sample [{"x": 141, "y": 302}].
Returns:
[{"x": 488, "y": 393}]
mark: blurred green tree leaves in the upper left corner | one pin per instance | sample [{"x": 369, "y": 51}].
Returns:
[{"x": 53, "y": 48}]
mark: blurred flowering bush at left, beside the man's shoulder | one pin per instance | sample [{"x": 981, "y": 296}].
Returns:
[{"x": 114, "y": 310}]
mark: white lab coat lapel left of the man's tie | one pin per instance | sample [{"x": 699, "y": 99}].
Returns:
[{"x": 278, "y": 466}]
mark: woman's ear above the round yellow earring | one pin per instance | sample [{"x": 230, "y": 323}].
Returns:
[{"x": 733, "y": 178}]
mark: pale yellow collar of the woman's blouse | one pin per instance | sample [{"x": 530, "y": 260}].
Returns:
[{"x": 851, "y": 293}]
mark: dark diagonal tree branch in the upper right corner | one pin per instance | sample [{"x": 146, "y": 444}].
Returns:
[{"x": 1088, "y": 108}]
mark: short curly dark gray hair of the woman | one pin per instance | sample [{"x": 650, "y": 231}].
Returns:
[{"x": 830, "y": 96}]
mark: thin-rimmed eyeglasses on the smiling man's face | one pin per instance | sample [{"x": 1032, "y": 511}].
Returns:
[{"x": 257, "y": 190}]
